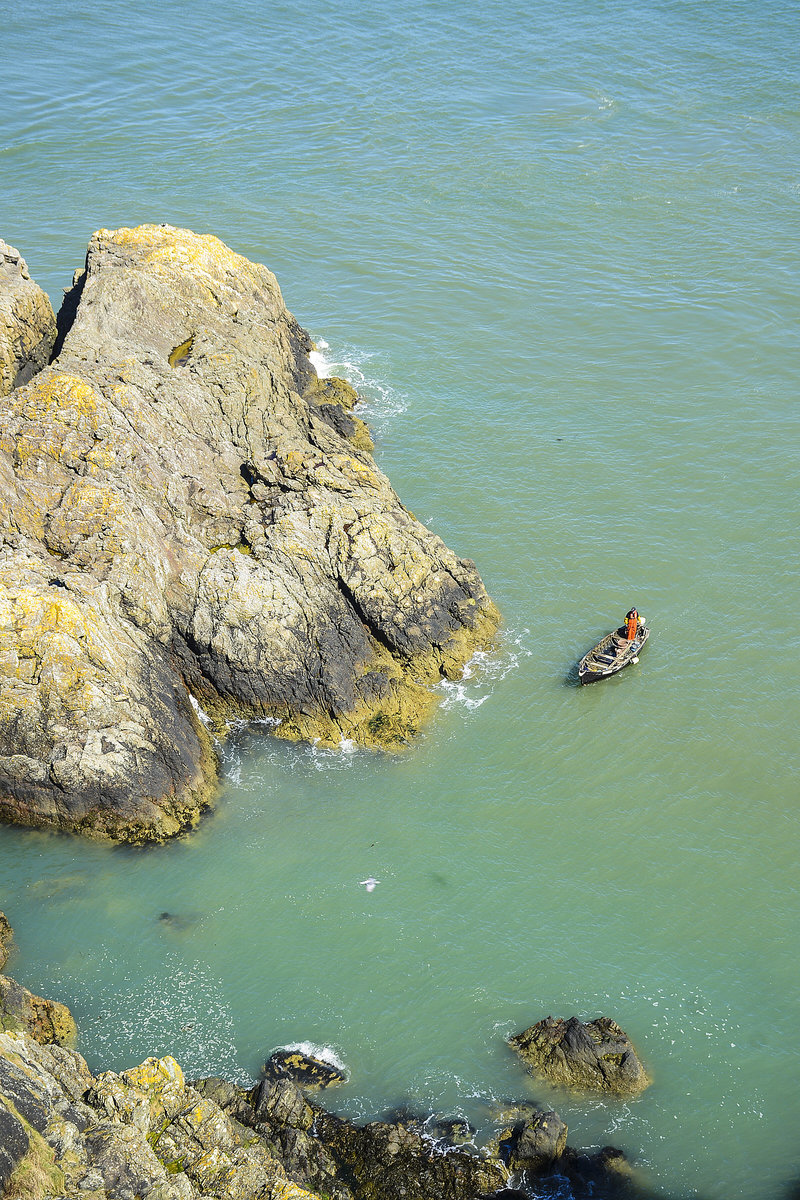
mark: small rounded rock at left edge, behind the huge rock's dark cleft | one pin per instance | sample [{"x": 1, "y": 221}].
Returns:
[{"x": 27, "y": 322}]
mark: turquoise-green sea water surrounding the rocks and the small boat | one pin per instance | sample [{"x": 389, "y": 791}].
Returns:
[{"x": 557, "y": 248}]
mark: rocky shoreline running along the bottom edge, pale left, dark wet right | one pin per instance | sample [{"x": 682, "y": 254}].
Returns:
[{"x": 148, "y": 1132}]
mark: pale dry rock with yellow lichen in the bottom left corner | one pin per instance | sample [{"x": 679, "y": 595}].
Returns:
[{"x": 142, "y": 1133}]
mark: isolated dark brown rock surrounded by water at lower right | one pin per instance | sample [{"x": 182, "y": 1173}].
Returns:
[{"x": 597, "y": 1055}]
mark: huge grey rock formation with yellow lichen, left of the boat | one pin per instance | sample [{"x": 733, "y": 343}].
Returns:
[{"x": 193, "y": 521}]
